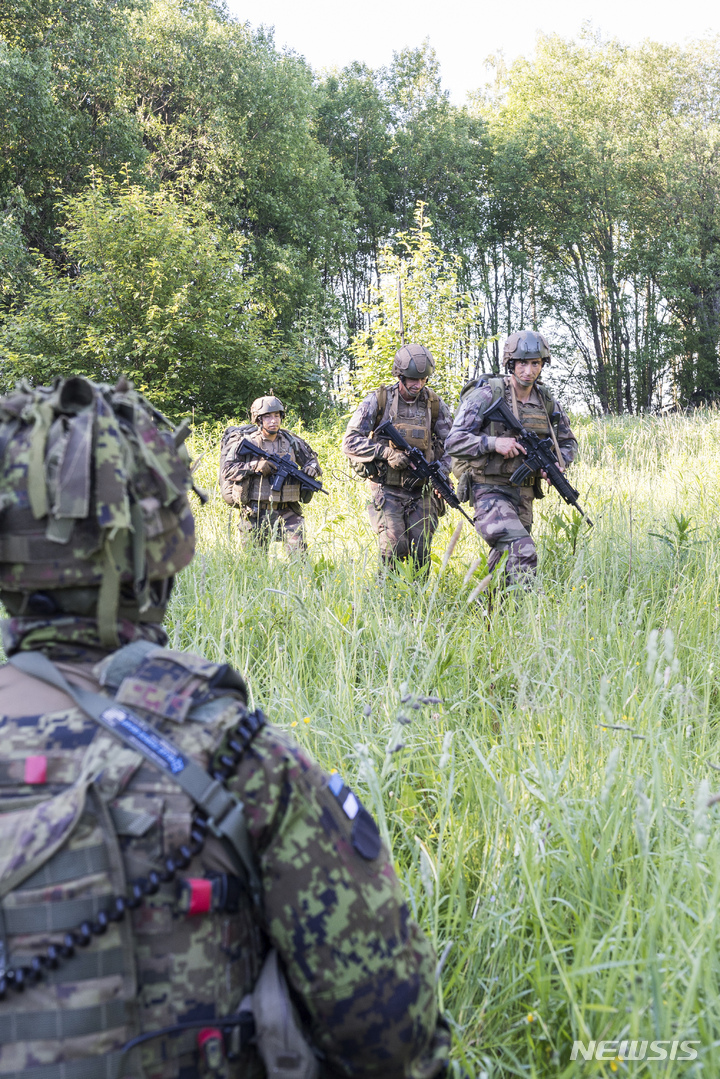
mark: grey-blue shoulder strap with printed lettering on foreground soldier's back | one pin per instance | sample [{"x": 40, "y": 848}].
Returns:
[{"x": 225, "y": 812}]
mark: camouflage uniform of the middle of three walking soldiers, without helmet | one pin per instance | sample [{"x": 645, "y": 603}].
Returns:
[{"x": 403, "y": 513}]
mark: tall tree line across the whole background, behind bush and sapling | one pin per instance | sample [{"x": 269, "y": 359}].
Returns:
[{"x": 578, "y": 195}]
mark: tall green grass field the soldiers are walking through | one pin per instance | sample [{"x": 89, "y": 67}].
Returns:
[{"x": 552, "y": 816}]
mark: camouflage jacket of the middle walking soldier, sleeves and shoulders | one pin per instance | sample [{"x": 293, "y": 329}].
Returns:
[{"x": 359, "y": 445}]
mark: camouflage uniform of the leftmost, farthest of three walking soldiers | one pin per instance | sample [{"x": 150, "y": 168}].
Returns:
[{"x": 266, "y": 515}]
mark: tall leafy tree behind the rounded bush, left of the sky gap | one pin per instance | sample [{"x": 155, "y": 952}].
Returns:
[{"x": 229, "y": 120}]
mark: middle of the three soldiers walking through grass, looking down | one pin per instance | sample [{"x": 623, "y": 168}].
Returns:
[{"x": 403, "y": 511}]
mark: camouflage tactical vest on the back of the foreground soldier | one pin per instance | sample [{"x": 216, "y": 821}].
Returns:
[{"x": 83, "y": 816}]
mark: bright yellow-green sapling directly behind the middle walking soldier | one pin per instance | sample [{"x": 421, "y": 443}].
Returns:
[{"x": 436, "y": 313}]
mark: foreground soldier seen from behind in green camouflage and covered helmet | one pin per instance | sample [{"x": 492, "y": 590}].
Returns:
[{"x": 169, "y": 862}]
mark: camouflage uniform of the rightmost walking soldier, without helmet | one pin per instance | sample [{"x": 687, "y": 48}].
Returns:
[{"x": 504, "y": 514}]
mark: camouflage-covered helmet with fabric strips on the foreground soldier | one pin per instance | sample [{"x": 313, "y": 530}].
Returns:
[{"x": 94, "y": 503}]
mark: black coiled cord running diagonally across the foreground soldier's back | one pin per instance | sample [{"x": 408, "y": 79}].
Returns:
[{"x": 19, "y": 978}]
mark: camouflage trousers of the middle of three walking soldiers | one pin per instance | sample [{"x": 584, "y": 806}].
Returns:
[{"x": 405, "y": 523}]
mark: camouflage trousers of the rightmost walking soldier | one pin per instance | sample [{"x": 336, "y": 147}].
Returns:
[{"x": 504, "y": 517}]
